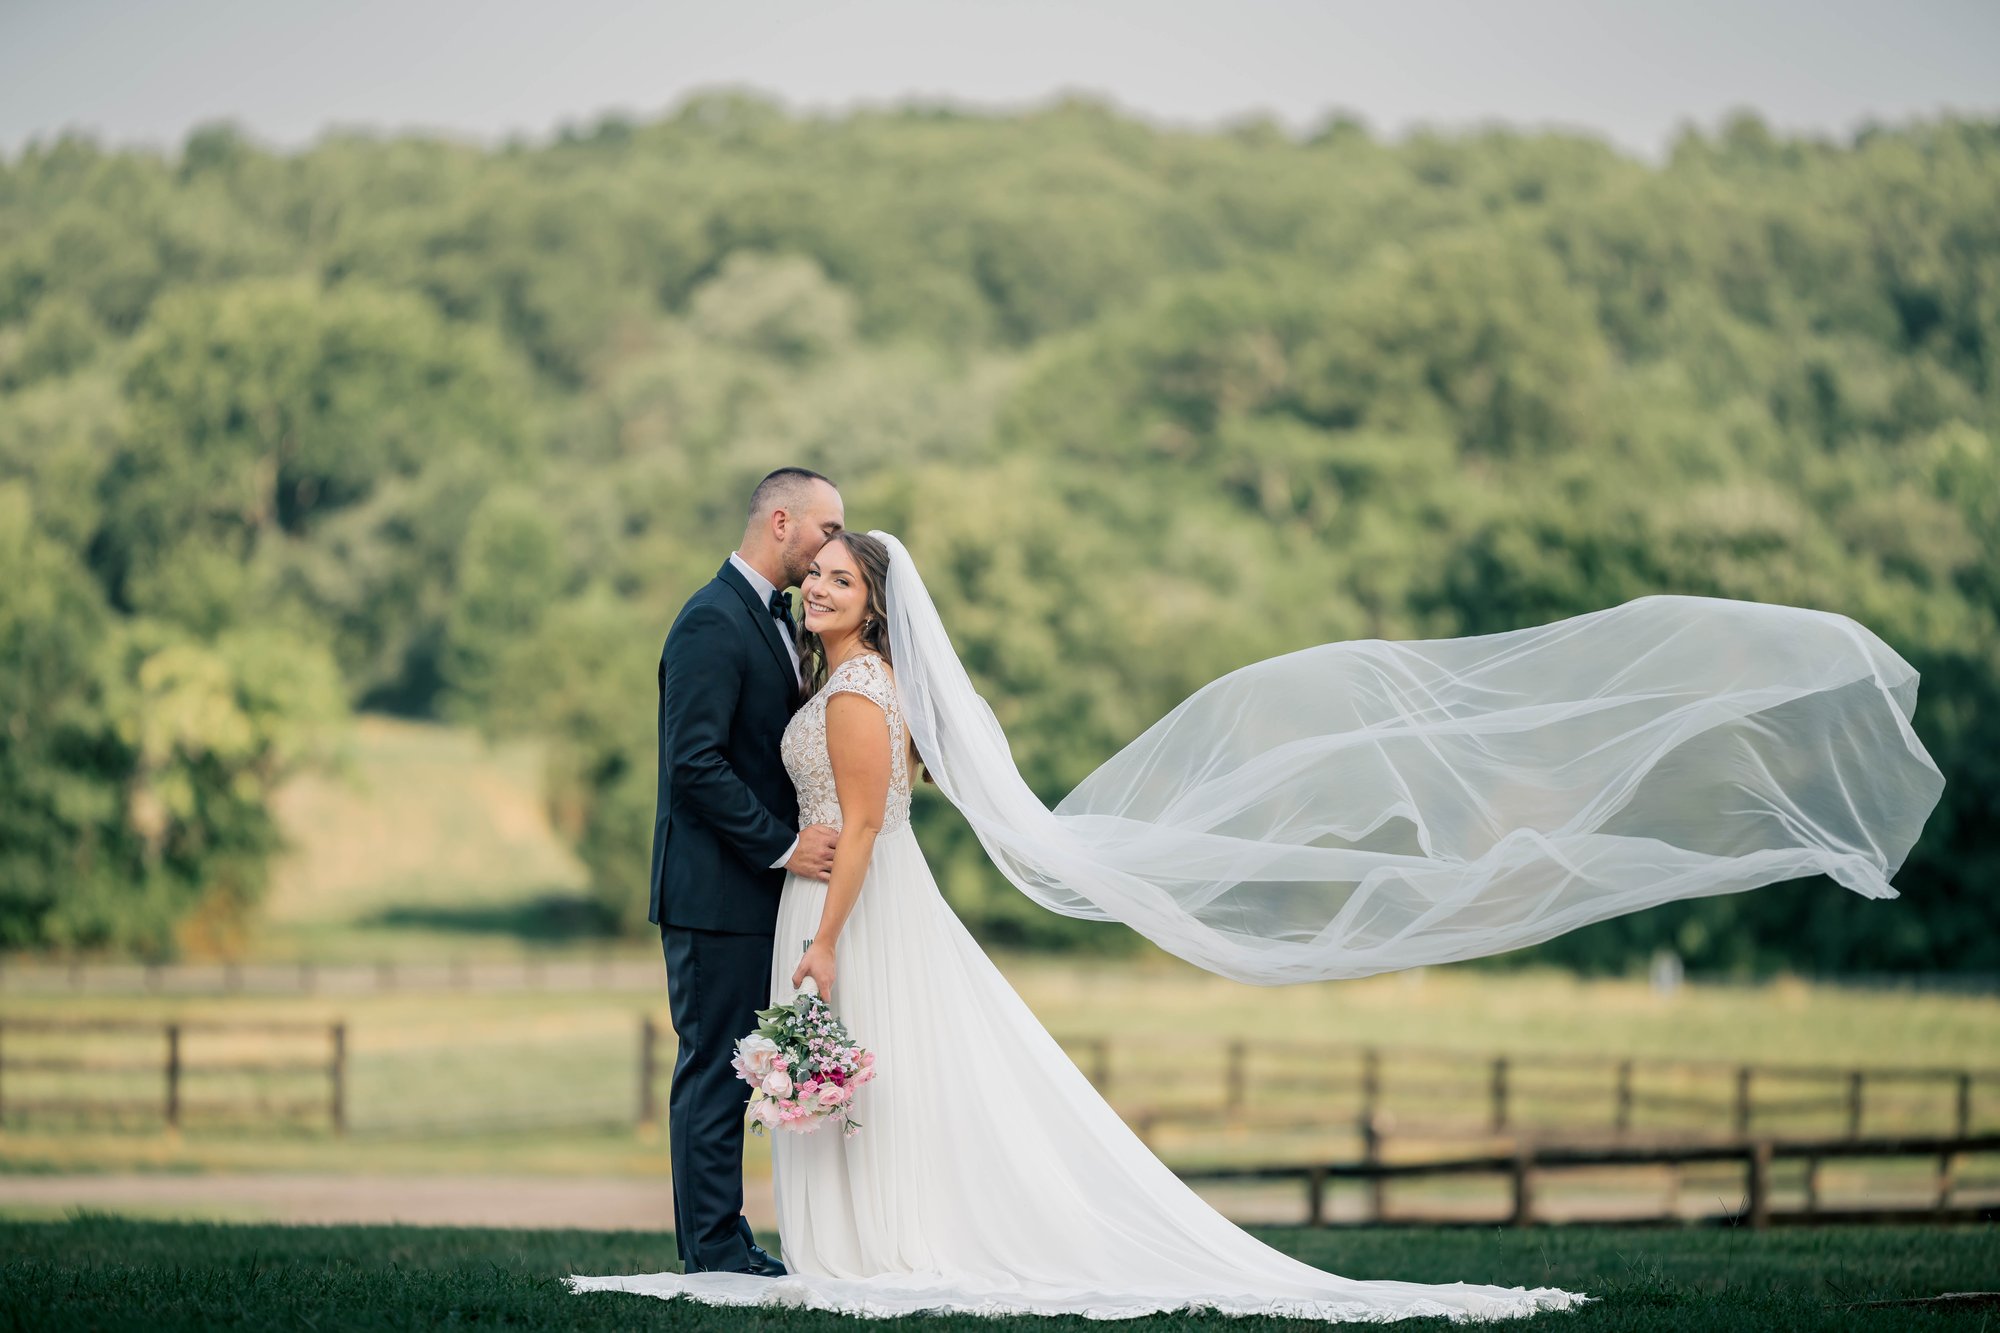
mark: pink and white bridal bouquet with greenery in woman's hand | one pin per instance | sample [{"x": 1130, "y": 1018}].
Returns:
[{"x": 803, "y": 1066}]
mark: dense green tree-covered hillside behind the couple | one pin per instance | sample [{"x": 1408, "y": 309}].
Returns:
[{"x": 451, "y": 431}]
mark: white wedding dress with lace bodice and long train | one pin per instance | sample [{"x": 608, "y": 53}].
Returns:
[{"x": 989, "y": 1176}]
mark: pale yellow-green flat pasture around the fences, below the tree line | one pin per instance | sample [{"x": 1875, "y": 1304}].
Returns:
[{"x": 477, "y": 1068}]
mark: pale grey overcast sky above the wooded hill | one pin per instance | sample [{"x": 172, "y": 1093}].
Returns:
[{"x": 147, "y": 71}]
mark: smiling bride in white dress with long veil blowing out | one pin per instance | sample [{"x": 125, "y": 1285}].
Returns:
[{"x": 1331, "y": 814}]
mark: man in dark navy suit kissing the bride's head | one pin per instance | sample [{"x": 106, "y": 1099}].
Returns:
[{"x": 725, "y": 834}]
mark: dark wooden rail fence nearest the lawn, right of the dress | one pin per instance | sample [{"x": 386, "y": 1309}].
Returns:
[{"x": 1529, "y": 1166}]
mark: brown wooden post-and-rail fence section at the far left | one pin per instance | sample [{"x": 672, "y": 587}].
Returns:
[{"x": 95, "y": 1070}]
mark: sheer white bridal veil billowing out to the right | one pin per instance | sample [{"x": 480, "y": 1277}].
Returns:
[{"x": 1365, "y": 808}]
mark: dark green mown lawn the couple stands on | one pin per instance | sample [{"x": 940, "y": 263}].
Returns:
[{"x": 103, "y": 1274}]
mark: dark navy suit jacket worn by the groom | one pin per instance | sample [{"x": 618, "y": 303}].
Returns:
[{"x": 727, "y": 808}]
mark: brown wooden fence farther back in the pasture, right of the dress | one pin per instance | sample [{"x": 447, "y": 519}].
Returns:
[{"x": 1431, "y": 1092}]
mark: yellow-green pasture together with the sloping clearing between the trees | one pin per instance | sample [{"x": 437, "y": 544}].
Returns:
[{"x": 435, "y": 846}]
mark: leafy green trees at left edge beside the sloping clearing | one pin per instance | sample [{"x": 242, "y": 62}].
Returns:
[{"x": 137, "y": 766}]
